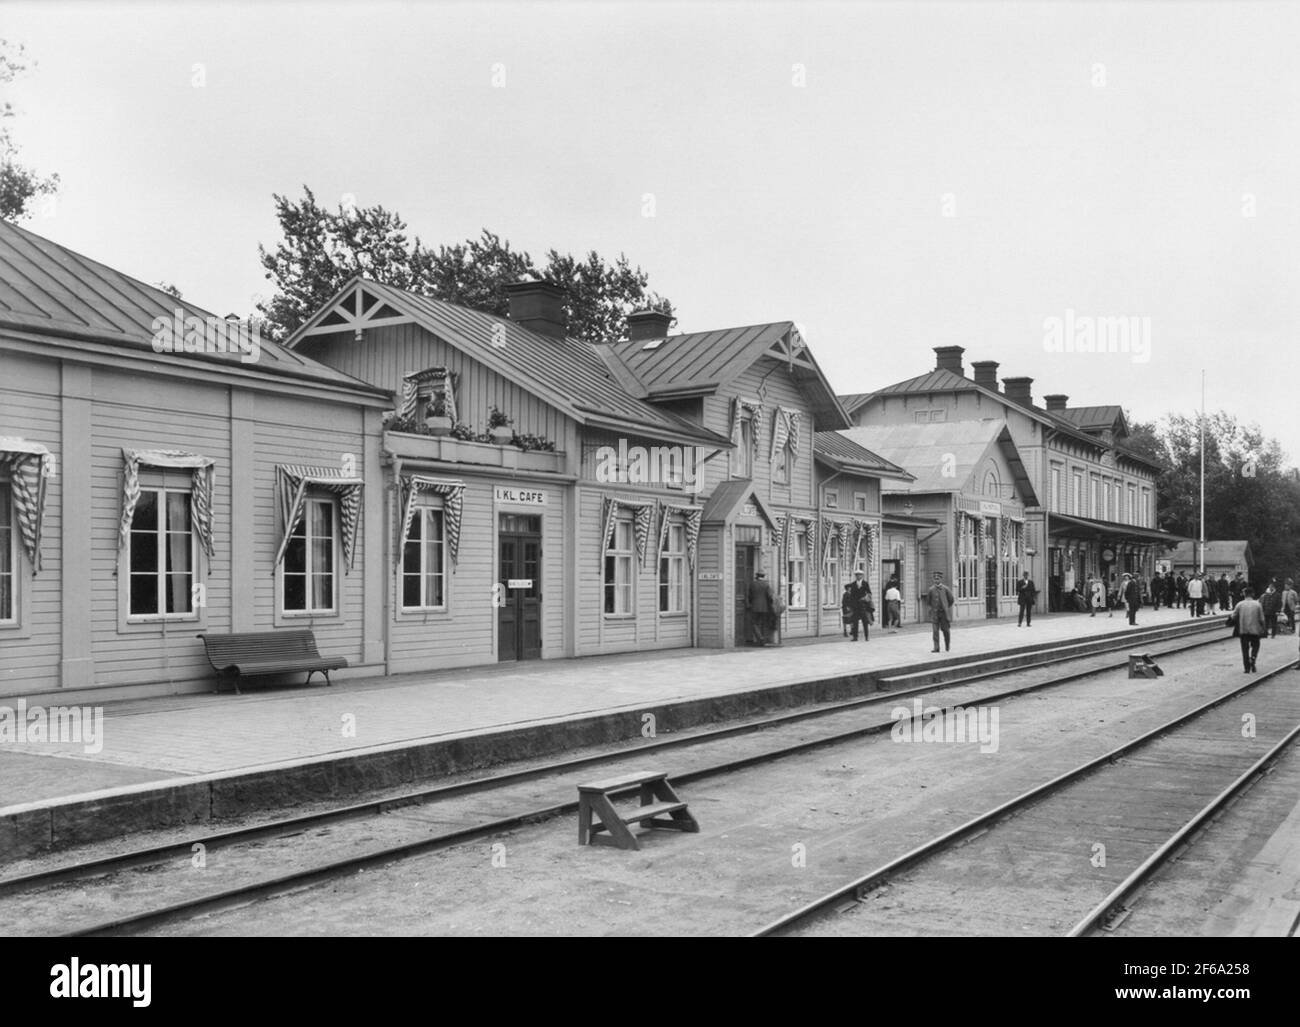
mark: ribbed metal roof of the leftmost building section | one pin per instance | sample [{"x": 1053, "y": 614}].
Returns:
[{"x": 50, "y": 291}]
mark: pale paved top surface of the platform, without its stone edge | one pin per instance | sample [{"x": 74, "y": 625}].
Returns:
[{"x": 176, "y": 738}]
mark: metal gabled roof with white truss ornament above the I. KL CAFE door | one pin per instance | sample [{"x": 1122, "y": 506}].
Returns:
[{"x": 565, "y": 374}]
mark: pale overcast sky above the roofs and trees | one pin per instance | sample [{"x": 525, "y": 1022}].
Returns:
[{"x": 1015, "y": 179}]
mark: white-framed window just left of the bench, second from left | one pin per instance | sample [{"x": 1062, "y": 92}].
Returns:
[{"x": 162, "y": 556}]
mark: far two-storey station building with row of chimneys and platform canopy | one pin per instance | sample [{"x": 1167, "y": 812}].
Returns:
[{"x": 1097, "y": 497}]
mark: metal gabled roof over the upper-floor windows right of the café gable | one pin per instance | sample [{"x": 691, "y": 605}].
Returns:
[{"x": 703, "y": 363}]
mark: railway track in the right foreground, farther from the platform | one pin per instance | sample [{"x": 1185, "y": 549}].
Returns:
[{"x": 1163, "y": 787}]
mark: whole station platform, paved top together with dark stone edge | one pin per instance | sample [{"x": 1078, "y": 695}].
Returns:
[{"x": 172, "y": 761}]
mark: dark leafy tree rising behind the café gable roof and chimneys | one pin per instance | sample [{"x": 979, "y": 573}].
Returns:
[{"x": 322, "y": 250}]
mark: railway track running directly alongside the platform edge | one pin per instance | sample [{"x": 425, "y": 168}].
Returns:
[{"x": 518, "y": 811}]
